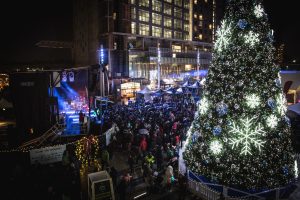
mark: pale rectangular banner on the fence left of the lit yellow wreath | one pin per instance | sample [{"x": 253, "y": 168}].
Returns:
[{"x": 47, "y": 155}]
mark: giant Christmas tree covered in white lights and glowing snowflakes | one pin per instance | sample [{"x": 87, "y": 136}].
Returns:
[{"x": 240, "y": 136}]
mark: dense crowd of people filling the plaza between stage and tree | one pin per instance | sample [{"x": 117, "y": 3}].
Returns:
[{"x": 152, "y": 134}]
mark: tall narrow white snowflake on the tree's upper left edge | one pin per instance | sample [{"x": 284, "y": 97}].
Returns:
[{"x": 223, "y": 35}]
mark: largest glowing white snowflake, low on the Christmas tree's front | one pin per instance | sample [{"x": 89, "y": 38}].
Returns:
[{"x": 246, "y": 135}]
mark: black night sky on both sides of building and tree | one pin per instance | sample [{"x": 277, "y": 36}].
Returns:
[{"x": 24, "y": 23}]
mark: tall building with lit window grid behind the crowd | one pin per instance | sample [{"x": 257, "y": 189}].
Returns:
[{"x": 132, "y": 30}]
